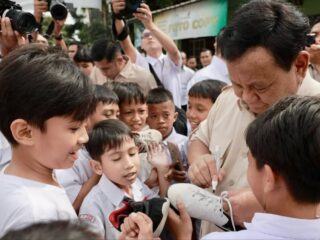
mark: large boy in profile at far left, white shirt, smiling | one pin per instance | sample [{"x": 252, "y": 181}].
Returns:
[{"x": 45, "y": 126}]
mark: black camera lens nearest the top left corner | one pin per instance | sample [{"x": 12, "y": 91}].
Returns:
[{"x": 23, "y": 22}]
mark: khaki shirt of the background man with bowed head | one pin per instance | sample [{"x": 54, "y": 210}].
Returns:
[{"x": 134, "y": 73}]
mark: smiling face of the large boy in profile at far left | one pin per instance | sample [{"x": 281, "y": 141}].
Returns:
[{"x": 57, "y": 146}]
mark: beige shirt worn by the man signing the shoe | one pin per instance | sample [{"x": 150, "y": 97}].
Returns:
[{"x": 225, "y": 126}]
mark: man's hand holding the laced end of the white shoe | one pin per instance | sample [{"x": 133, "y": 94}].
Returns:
[{"x": 244, "y": 206}]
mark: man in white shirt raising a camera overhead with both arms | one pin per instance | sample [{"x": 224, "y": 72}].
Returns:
[{"x": 165, "y": 68}]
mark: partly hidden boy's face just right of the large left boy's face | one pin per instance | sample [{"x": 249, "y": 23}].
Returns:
[{"x": 103, "y": 111}]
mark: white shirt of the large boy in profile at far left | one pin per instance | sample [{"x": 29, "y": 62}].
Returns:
[{"x": 24, "y": 202}]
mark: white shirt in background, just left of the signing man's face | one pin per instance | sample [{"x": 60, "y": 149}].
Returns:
[{"x": 217, "y": 70}]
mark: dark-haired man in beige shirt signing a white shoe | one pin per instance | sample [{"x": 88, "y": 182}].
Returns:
[{"x": 262, "y": 70}]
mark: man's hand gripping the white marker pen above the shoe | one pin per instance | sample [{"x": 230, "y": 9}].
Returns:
[{"x": 203, "y": 170}]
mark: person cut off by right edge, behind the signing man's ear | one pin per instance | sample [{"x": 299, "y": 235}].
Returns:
[{"x": 314, "y": 50}]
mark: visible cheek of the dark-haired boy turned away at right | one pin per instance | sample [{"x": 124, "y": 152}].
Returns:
[{"x": 255, "y": 178}]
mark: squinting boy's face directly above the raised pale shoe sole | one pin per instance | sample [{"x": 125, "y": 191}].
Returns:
[{"x": 134, "y": 115}]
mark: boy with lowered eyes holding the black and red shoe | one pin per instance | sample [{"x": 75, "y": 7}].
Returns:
[{"x": 116, "y": 159}]
